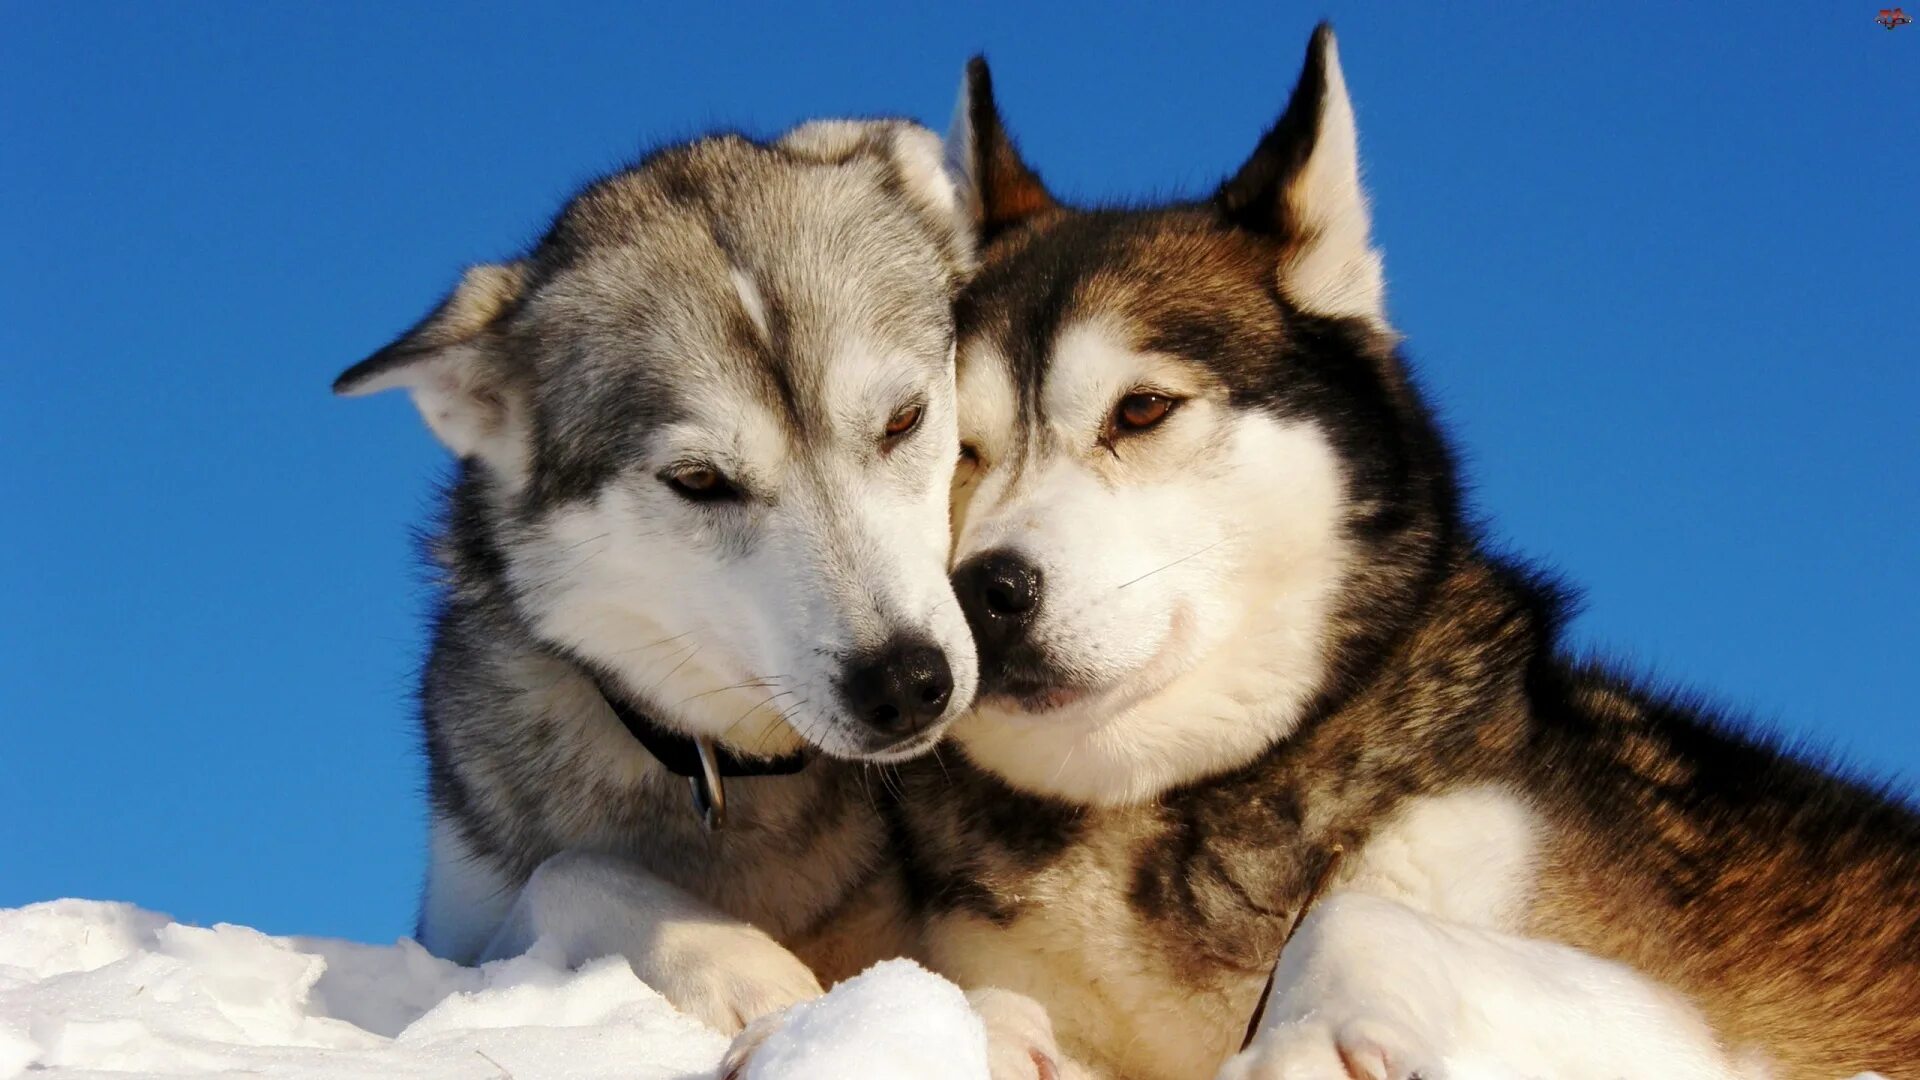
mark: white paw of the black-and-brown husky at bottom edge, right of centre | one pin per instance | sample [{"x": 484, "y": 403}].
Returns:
[{"x": 1310, "y": 1050}]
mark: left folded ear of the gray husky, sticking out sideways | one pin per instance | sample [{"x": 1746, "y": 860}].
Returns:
[{"x": 456, "y": 376}]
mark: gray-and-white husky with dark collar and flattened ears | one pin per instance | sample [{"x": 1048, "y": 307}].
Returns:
[{"x": 694, "y": 562}]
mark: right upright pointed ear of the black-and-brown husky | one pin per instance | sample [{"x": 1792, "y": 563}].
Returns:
[{"x": 1303, "y": 187}]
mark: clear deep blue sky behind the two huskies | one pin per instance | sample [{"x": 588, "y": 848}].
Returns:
[{"x": 1658, "y": 266}]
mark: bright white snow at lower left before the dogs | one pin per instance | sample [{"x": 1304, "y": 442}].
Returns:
[{"x": 97, "y": 989}]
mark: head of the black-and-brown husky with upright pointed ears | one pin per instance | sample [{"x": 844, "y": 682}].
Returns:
[{"x": 1197, "y": 489}]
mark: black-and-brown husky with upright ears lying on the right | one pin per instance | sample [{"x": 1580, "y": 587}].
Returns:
[{"x": 1237, "y": 635}]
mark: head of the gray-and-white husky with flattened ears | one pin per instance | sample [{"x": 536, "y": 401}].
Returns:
[{"x": 708, "y": 430}]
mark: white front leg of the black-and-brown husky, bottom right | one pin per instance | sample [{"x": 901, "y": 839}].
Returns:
[{"x": 1376, "y": 991}]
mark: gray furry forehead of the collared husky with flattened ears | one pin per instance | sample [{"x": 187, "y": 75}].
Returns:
[{"x": 786, "y": 287}]
